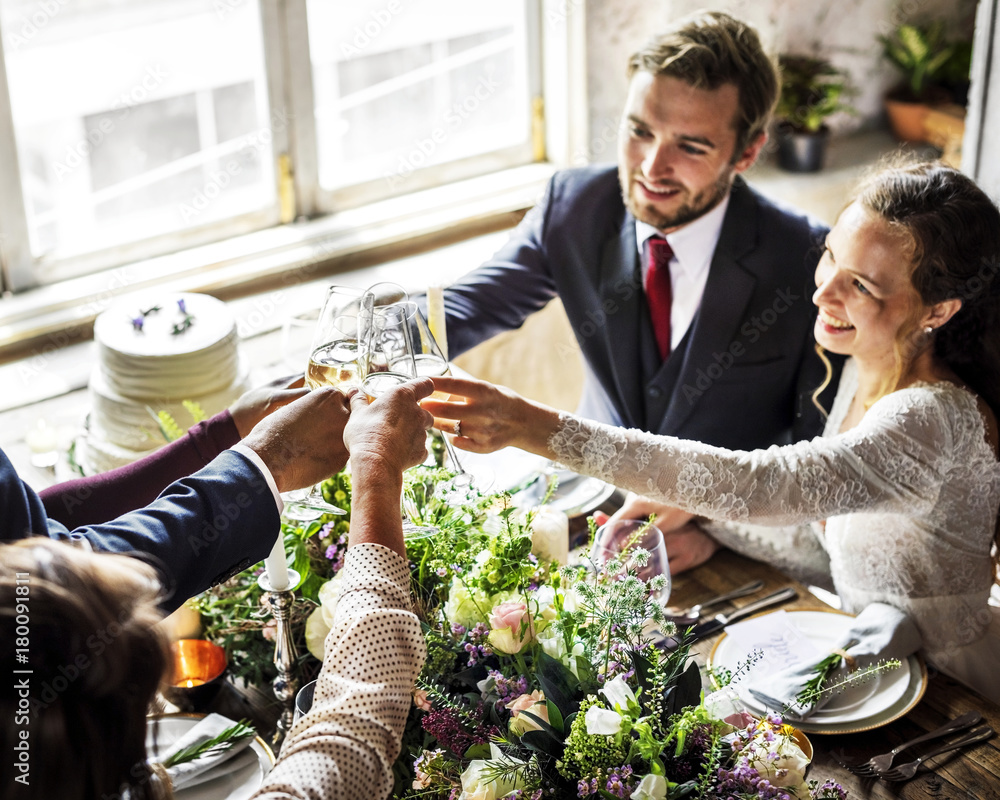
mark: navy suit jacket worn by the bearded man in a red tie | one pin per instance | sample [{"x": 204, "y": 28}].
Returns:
[{"x": 742, "y": 376}]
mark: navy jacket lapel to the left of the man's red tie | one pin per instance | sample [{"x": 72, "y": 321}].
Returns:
[{"x": 620, "y": 295}]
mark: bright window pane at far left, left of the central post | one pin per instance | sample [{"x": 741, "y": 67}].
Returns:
[{"x": 136, "y": 118}]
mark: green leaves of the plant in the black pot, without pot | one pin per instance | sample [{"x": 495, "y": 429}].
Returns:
[{"x": 811, "y": 90}]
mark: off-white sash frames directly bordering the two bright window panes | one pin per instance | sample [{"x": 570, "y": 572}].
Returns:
[{"x": 286, "y": 54}]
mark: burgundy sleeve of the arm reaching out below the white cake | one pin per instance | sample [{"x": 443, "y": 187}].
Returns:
[{"x": 101, "y": 498}]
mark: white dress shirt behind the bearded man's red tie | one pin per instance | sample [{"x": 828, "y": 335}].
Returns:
[{"x": 693, "y": 246}]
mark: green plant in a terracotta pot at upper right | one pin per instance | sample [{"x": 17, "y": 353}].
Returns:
[{"x": 924, "y": 57}]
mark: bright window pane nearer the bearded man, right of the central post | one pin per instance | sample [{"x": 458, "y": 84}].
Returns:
[{"x": 400, "y": 86}]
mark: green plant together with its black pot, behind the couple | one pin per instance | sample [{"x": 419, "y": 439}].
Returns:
[{"x": 811, "y": 90}]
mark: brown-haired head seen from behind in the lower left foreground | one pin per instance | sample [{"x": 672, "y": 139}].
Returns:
[{"x": 84, "y": 625}]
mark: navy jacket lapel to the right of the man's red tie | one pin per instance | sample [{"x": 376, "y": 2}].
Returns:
[{"x": 727, "y": 293}]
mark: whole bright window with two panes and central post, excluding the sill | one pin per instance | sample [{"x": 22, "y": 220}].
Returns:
[{"x": 145, "y": 126}]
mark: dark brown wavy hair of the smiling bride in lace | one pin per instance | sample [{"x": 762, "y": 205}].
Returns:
[{"x": 955, "y": 228}]
